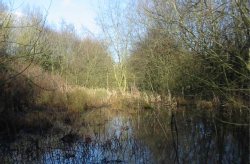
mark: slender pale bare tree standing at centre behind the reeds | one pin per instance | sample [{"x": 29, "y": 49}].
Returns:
[{"x": 118, "y": 29}]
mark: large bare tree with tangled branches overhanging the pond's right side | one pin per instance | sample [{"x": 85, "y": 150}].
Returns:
[{"x": 216, "y": 32}]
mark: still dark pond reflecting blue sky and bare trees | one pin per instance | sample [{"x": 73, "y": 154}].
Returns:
[{"x": 119, "y": 136}]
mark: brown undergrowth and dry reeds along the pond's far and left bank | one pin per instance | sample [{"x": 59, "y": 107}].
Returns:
[{"x": 37, "y": 101}]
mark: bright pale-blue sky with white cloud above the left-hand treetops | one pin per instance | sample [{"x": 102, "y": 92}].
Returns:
[{"x": 81, "y": 13}]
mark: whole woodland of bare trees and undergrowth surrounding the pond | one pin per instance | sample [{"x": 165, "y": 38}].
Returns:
[{"x": 152, "y": 55}]
